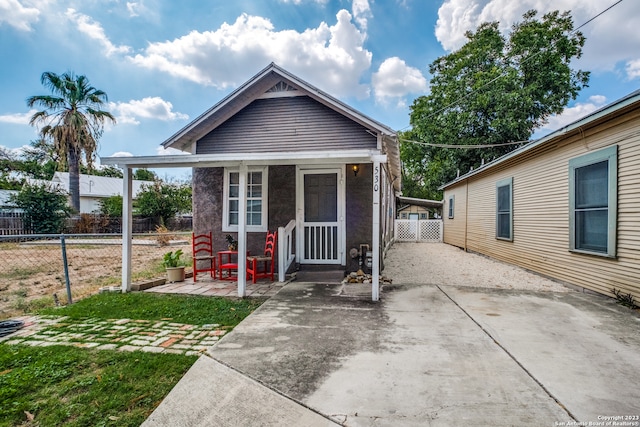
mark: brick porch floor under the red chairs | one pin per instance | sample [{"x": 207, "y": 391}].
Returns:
[{"x": 223, "y": 288}]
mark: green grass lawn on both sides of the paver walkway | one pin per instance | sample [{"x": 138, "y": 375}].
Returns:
[{"x": 62, "y": 385}]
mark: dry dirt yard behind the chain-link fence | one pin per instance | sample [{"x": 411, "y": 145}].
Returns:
[{"x": 31, "y": 274}]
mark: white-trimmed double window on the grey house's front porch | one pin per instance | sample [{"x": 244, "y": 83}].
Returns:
[{"x": 256, "y": 199}]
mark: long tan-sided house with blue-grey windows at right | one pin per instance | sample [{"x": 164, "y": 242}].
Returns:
[{"x": 566, "y": 206}]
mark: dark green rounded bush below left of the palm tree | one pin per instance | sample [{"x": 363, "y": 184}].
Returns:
[{"x": 45, "y": 208}]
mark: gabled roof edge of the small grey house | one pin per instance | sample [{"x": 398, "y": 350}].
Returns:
[{"x": 262, "y": 83}]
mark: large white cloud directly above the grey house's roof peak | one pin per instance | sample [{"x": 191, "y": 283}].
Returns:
[{"x": 331, "y": 57}]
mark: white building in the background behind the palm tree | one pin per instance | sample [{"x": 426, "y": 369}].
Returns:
[{"x": 93, "y": 189}]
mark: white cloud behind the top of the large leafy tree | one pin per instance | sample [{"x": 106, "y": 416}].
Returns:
[{"x": 611, "y": 38}]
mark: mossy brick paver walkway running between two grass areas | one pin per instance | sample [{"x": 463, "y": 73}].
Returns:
[{"x": 117, "y": 334}]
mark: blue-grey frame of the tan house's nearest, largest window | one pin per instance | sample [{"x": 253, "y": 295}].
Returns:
[{"x": 609, "y": 154}]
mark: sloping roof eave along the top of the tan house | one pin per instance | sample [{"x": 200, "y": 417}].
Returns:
[{"x": 598, "y": 117}]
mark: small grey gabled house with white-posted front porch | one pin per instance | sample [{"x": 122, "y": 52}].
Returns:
[{"x": 279, "y": 153}]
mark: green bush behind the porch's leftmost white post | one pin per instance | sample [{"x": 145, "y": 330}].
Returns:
[{"x": 164, "y": 201}]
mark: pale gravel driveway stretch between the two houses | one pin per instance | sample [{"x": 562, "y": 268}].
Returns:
[{"x": 442, "y": 264}]
